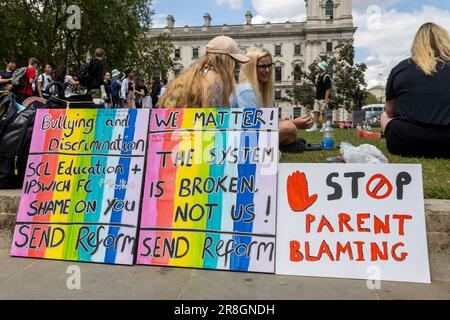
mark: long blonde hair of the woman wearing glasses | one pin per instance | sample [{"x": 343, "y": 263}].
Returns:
[{"x": 249, "y": 74}]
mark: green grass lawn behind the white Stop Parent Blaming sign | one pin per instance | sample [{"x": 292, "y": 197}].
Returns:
[{"x": 436, "y": 172}]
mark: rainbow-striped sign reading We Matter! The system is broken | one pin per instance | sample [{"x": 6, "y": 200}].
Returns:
[{"x": 210, "y": 192}]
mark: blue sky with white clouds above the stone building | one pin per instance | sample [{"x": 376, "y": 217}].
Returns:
[{"x": 386, "y": 28}]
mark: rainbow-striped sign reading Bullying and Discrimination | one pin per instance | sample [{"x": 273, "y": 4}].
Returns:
[{"x": 82, "y": 189}]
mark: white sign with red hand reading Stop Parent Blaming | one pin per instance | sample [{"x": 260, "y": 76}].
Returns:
[{"x": 352, "y": 221}]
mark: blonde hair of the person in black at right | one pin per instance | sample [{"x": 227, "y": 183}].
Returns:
[{"x": 431, "y": 46}]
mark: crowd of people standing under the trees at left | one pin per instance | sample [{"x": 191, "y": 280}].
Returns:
[{"x": 113, "y": 89}]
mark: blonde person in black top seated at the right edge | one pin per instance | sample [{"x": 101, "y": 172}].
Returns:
[{"x": 417, "y": 118}]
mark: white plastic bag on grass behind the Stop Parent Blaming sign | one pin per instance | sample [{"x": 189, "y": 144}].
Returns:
[{"x": 365, "y": 153}]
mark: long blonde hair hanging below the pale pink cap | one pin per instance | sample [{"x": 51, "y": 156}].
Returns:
[{"x": 186, "y": 91}]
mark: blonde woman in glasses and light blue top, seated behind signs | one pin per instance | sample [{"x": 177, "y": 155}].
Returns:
[{"x": 256, "y": 90}]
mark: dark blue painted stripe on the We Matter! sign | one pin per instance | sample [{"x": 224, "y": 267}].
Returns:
[{"x": 245, "y": 199}]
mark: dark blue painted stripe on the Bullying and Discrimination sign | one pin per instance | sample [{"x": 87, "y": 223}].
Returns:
[{"x": 119, "y": 194}]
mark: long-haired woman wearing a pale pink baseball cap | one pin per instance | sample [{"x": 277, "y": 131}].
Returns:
[{"x": 209, "y": 82}]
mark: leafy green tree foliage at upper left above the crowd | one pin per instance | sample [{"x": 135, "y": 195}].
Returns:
[{"x": 39, "y": 28}]
